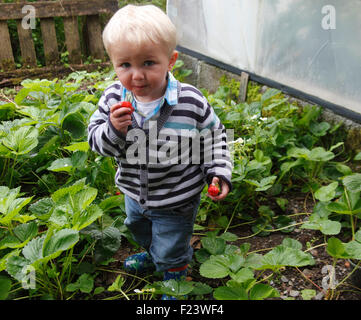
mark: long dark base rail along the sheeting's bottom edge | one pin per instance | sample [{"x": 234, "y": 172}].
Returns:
[{"x": 337, "y": 109}]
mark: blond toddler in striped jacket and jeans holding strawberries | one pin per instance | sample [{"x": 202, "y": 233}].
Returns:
[{"x": 167, "y": 149}]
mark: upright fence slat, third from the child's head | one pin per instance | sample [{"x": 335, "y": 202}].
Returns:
[{"x": 48, "y": 34}]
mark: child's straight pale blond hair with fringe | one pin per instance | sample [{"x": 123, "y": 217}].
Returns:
[{"x": 138, "y": 25}]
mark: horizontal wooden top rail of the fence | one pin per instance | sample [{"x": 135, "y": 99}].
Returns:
[{"x": 72, "y": 8}]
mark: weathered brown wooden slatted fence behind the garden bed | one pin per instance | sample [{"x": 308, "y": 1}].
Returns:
[{"x": 45, "y": 10}]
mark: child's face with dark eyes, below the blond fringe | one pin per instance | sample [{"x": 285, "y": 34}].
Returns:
[{"x": 143, "y": 70}]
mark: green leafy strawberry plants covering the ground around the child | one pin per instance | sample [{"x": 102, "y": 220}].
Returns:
[{"x": 60, "y": 215}]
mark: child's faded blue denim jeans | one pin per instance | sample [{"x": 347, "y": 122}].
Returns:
[{"x": 164, "y": 233}]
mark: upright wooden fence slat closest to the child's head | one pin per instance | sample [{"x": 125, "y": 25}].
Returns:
[{"x": 94, "y": 37}]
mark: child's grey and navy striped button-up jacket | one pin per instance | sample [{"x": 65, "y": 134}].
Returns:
[{"x": 169, "y": 160}]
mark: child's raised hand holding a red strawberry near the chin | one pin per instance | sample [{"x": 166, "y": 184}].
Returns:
[{"x": 120, "y": 116}]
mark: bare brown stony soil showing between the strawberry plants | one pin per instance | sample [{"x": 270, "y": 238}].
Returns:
[{"x": 291, "y": 281}]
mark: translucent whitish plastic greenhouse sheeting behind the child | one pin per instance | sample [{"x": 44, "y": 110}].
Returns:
[{"x": 312, "y": 46}]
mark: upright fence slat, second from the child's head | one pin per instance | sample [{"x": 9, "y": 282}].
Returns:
[{"x": 72, "y": 39}]
